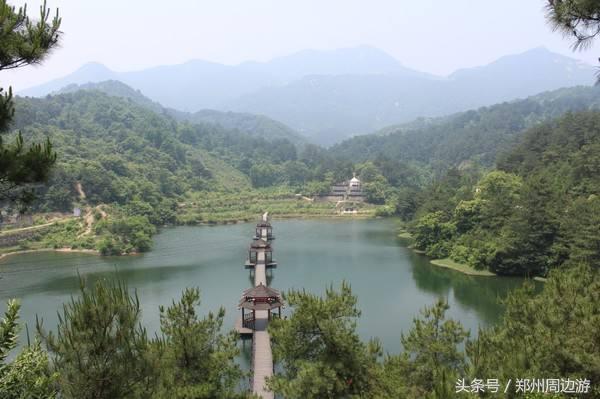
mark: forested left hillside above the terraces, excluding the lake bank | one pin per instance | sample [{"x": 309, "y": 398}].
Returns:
[{"x": 122, "y": 150}]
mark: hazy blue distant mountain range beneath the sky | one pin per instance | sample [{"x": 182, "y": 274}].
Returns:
[{"x": 328, "y": 96}]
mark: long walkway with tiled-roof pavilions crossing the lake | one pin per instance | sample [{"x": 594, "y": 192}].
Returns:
[{"x": 260, "y": 301}]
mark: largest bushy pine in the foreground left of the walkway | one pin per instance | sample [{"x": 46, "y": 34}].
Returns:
[{"x": 100, "y": 348}]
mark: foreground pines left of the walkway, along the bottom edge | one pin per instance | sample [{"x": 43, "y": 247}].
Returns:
[{"x": 100, "y": 349}]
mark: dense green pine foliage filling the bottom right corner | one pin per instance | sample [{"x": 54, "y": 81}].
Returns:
[{"x": 550, "y": 334}]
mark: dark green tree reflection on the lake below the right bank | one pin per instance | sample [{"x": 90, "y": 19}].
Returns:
[{"x": 481, "y": 294}]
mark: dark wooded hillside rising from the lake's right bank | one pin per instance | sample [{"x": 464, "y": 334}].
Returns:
[{"x": 539, "y": 210}]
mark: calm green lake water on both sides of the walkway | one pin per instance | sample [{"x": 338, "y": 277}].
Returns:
[{"x": 391, "y": 281}]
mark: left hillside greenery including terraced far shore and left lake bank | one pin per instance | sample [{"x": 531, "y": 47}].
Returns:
[{"x": 140, "y": 165}]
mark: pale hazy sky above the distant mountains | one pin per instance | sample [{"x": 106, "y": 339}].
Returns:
[{"x": 436, "y": 36}]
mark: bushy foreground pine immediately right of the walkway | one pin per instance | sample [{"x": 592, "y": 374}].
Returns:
[{"x": 319, "y": 350}]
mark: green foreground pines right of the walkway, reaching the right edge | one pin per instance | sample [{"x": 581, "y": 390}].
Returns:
[{"x": 323, "y": 357}]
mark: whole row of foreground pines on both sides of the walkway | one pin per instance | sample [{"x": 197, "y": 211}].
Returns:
[{"x": 99, "y": 339}]
